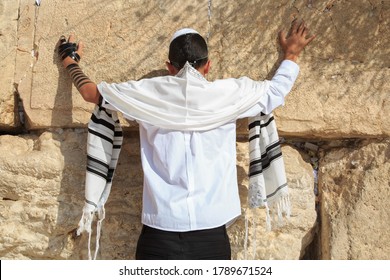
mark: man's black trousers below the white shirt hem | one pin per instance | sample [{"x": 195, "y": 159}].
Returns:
[{"x": 210, "y": 244}]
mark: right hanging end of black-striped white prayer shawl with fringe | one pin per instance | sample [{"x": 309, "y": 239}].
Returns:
[{"x": 267, "y": 178}]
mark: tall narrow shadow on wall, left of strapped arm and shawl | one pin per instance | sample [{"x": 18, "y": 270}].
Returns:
[{"x": 62, "y": 234}]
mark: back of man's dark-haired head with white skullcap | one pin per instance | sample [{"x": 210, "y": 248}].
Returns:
[{"x": 188, "y": 45}]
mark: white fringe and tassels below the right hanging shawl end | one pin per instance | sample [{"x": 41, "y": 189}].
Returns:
[{"x": 280, "y": 209}]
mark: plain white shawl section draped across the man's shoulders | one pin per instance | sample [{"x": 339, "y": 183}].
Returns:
[{"x": 185, "y": 102}]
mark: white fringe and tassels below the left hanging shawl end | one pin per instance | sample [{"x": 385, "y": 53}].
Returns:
[{"x": 85, "y": 225}]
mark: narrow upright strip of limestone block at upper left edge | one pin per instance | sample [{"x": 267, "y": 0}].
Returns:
[{"x": 8, "y": 43}]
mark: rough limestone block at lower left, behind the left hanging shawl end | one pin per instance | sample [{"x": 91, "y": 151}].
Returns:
[{"x": 42, "y": 193}]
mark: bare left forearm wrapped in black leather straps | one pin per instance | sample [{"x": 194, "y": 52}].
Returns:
[{"x": 84, "y": 85}]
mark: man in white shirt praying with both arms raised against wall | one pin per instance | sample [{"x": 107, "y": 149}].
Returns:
[{"x": 187, "y": 128}]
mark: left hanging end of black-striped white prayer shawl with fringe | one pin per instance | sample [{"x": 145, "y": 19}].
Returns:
[{"x": 103, "y": 148}]
